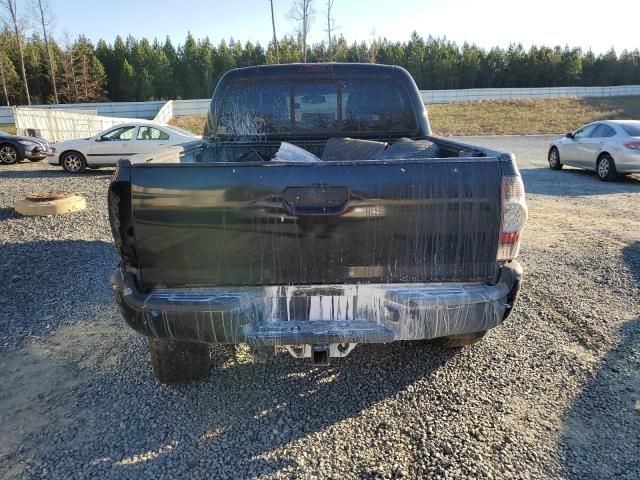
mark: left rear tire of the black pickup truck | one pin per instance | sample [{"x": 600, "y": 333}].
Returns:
[{"x": 178, "y": 362}]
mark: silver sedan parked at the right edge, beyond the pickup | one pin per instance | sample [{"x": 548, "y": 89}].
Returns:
[{"x": 608, "y": 147}]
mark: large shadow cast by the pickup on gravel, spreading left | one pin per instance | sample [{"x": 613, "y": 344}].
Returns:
[{"x": 82, "y": 400}]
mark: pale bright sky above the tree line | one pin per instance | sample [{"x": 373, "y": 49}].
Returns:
[{"x": 589, "y": 24}]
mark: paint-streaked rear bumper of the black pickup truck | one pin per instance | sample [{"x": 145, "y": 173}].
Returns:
[{"x": 310, "y": 314}]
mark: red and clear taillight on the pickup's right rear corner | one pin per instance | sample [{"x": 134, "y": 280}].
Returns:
[{"x": 514, "y": 217}]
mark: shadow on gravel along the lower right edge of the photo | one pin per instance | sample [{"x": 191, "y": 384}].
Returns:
[{"x": 601, "y": 431}]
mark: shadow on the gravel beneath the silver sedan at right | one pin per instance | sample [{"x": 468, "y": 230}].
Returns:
[{"x": 570, "y": 181}]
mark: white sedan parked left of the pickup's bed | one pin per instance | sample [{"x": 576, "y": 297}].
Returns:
[{"x": 122, "y": 141}]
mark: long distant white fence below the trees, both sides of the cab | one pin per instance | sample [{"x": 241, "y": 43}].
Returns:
[{"x": 181, "y": 108}]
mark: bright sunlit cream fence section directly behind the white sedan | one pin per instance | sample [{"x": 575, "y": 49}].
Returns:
[{"x": 58, "y": 125}]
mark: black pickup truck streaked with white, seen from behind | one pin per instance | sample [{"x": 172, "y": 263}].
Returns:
[{"x": 318, "y": 212}]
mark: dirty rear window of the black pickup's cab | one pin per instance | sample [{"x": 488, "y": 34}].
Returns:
[{"x": 252, "y": 109}]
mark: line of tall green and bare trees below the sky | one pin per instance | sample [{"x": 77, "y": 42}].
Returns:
[{"x": 37, "y": 68}]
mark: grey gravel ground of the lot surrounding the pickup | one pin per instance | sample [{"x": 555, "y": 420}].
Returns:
[{"x": 549, "y": 394}]
